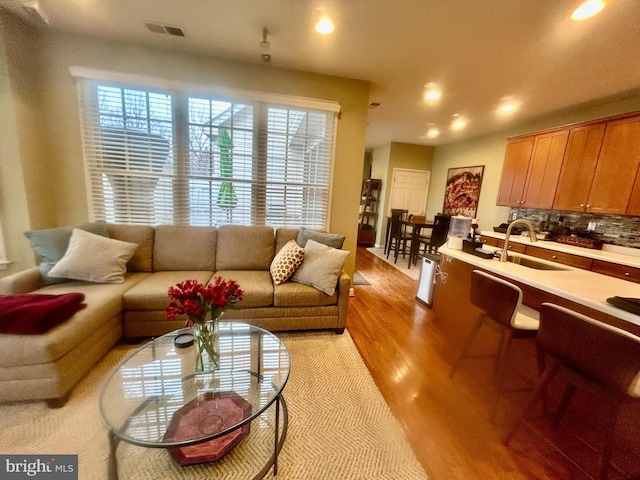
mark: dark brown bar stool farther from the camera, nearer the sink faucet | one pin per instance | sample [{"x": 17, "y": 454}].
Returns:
[{"x": 501, "y": 308}]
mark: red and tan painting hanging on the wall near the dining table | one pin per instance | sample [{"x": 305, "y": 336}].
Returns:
[{"x": 462, "y": 191}]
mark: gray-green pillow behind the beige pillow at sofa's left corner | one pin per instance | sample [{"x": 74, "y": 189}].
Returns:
[{"x": 51, "y": 244}]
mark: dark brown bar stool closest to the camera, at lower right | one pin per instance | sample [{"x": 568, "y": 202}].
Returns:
[{"x": 589, "y": 353}]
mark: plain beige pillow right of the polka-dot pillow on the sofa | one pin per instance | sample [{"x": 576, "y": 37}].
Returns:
[{"x": 321, "y": 267}]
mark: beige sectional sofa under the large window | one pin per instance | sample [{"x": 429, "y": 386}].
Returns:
[{"x": 47, "y": 366}]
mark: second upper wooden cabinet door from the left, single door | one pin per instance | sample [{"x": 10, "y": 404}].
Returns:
[{"x": 544, "y": 169}]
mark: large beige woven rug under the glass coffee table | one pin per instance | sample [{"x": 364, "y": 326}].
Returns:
[{"x": 339, "y": 425}]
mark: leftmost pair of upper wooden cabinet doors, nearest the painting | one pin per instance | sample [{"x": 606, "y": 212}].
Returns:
[{"x": 531, "y": 170}]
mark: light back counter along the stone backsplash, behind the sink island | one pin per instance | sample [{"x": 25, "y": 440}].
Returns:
[{"x": 609, "y": 253}]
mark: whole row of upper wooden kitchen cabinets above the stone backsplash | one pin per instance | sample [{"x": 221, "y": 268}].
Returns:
[{"x": 588, "y": 167}]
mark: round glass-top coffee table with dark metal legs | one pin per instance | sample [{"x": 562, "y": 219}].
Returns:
[{"x": 154, "y": 398}]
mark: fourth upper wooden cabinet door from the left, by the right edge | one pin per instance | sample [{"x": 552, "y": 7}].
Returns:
[{"x": 617, "y": 168}]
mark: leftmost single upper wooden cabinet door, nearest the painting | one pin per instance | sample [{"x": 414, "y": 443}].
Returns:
[{"x": 514, "y": 171}]
